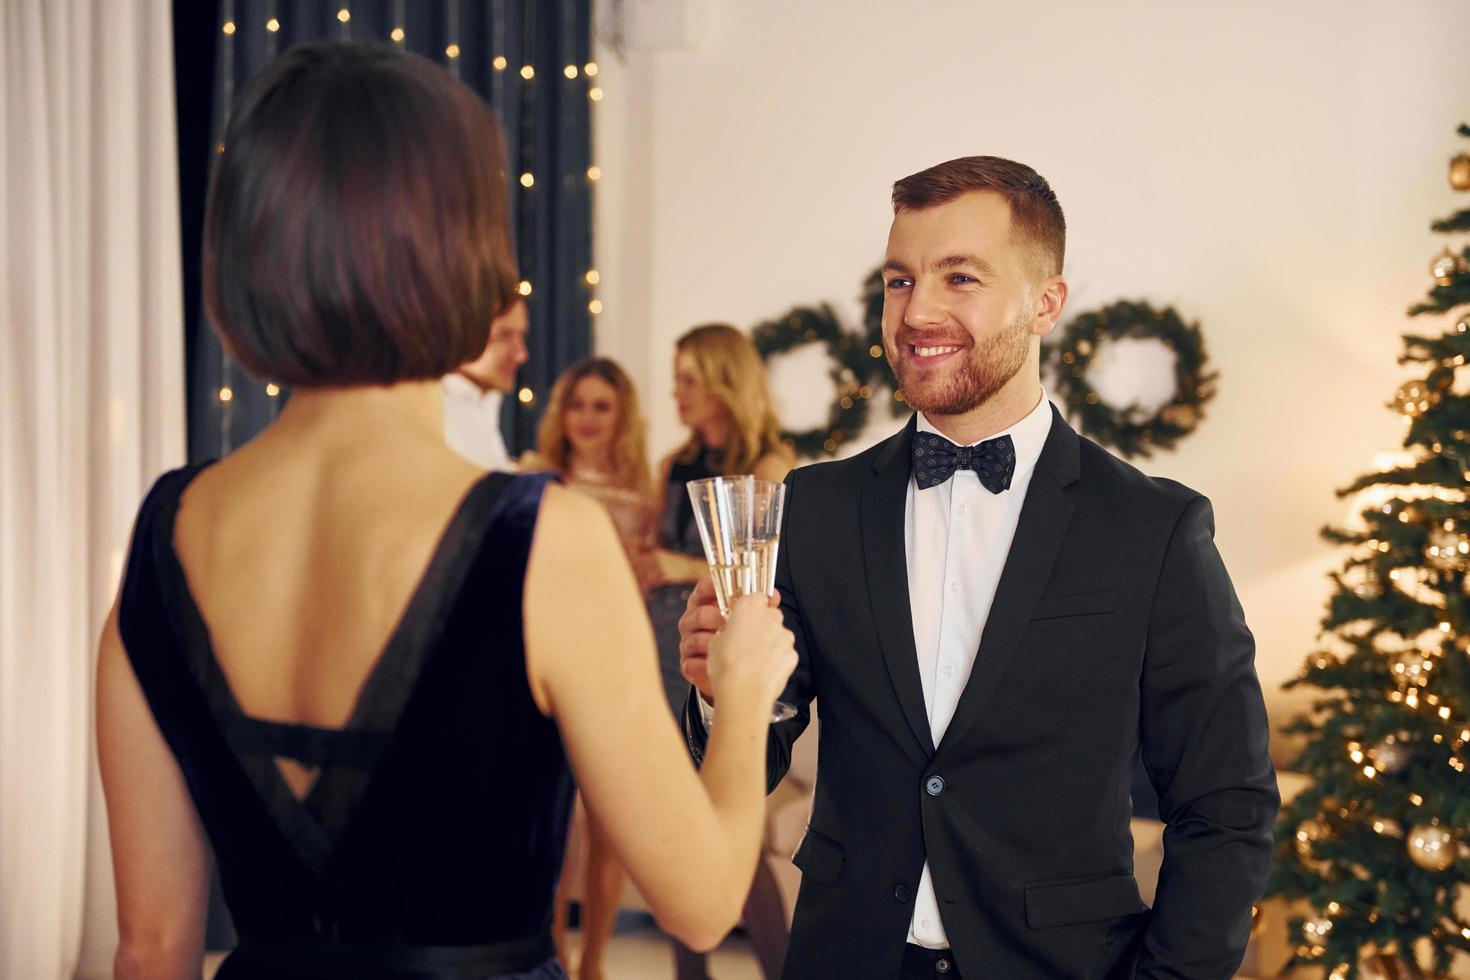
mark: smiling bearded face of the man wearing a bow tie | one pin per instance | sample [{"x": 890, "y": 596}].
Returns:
[{"x": 959, "y": 303}]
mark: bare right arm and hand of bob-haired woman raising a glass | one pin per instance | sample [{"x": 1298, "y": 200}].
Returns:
[{"x": 689, "y": 840}]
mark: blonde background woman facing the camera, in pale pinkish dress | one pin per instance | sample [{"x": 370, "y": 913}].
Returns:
[{"x": 595, "y": 437}]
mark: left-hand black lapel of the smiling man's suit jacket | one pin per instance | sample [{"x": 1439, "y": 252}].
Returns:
[{"x": 889, "y": 580}]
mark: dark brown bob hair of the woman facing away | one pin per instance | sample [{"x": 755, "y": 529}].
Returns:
[{"x": 358, "y": 223}]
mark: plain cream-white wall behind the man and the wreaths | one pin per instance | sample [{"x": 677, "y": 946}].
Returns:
[{"x": 1269, "y": 168}]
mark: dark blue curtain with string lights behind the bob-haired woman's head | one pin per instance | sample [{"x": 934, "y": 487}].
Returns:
[{"x": 528, "y": 60}]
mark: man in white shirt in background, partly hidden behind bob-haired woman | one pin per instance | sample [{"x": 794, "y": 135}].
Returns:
[{"x": 474, "y": 394}]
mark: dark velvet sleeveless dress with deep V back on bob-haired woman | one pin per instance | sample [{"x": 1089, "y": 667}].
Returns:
[{"x": 431, "y": 841}]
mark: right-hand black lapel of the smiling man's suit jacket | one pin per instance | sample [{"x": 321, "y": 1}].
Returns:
[{"x": 1040, "y": 533}]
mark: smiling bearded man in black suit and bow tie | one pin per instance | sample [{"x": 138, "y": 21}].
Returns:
[{"x": 999, "y": 619}]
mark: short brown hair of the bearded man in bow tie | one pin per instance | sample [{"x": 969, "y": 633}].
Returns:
[{"x": 1037, "y": 218}]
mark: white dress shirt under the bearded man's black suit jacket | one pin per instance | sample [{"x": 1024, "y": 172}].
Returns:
[{"x": 958, "y": 537}]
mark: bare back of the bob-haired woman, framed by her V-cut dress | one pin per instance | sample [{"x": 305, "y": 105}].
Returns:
[{"x": 302, "y": 566}]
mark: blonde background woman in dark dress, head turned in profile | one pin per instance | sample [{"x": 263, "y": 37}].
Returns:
[{"x": 720, "y": 384}]
